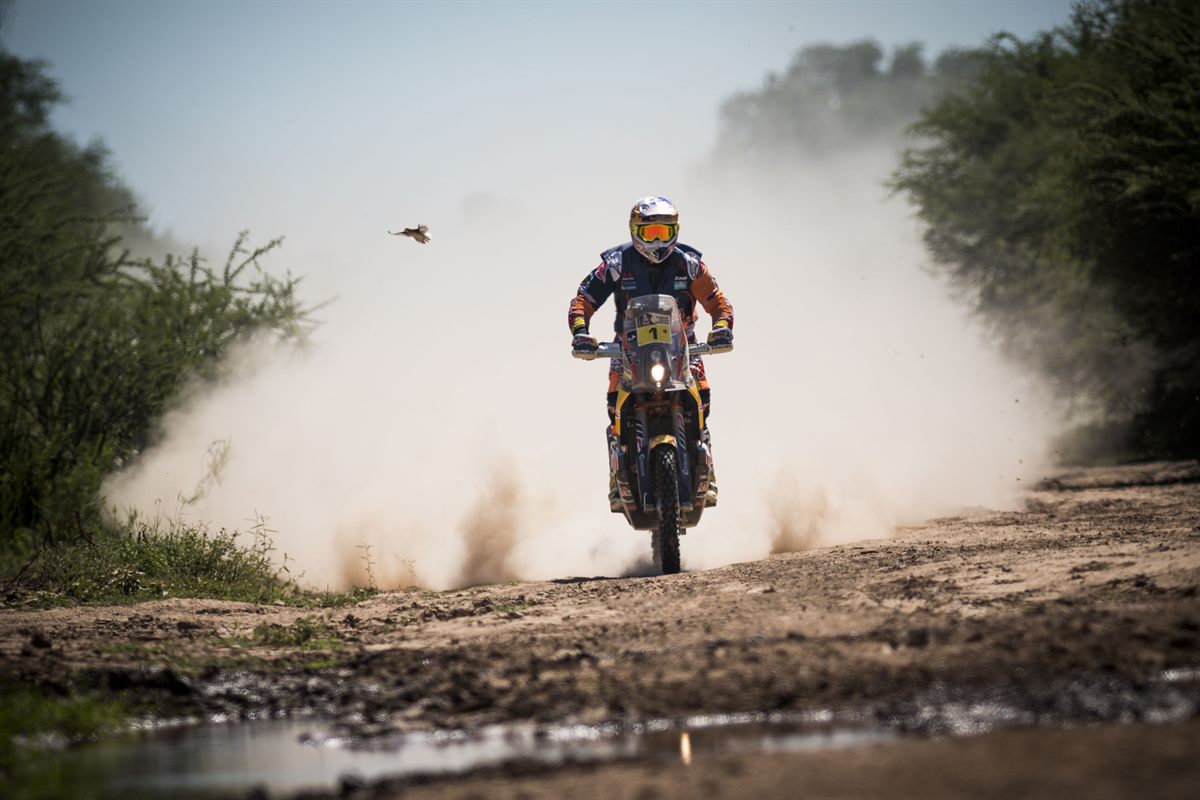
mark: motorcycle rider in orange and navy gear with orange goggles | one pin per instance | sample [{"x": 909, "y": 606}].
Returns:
[{"x": 653, "y": 262}]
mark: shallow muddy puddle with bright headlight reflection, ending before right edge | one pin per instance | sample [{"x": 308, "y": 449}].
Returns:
[{"x": 283, "y": 757}]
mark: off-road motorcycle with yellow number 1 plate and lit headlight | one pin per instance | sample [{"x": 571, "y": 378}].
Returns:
[{"x": 658, "y": 447}]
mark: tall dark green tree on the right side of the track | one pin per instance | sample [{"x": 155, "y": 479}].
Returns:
[{"x": 1063, "y": 196}]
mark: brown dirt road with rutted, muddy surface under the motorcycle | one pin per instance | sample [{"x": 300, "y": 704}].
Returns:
[{"x": 1083, "y": 609}]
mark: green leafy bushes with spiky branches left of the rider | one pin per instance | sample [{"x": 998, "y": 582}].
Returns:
[{"x": 95, "y": 346}]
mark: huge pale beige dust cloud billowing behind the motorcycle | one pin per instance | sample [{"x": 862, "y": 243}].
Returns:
[{"x": 436, "y": 430}]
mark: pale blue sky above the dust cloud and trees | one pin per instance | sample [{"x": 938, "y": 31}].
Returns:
[{"x": 275, "y": 116}]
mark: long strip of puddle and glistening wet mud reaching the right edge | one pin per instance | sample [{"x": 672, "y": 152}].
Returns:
[{"x": 320, "y": 757}]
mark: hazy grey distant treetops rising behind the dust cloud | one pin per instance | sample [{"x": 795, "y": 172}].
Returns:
[{"x": 832, "y": 98}]
